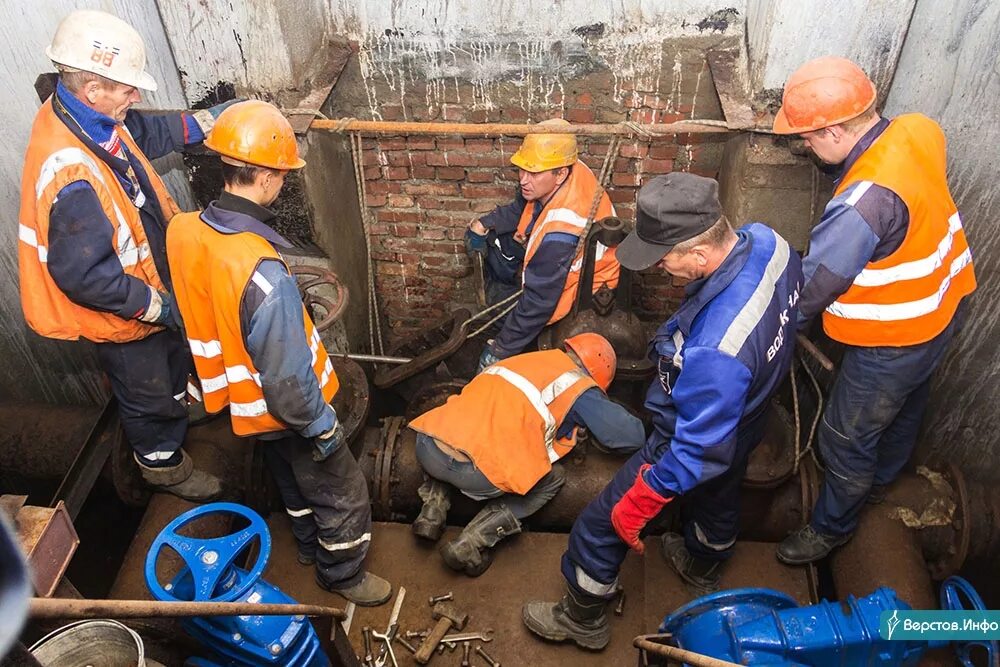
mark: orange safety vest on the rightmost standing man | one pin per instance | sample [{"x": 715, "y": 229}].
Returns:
[{"x": 910, "y": 296}]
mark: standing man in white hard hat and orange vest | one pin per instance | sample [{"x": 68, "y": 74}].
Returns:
[{"x": 92, "y": 250}]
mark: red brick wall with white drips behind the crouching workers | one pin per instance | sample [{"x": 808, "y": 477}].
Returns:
[{"x": 423, "y": 191}]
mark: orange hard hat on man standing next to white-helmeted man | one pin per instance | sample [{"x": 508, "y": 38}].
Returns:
[{"x": 255, "y": 133}]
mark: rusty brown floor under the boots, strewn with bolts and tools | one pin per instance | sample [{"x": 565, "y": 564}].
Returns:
[{"x": 526, "y": 568}]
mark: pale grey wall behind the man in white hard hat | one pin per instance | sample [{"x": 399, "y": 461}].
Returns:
[{"x": 34, "y": 368}]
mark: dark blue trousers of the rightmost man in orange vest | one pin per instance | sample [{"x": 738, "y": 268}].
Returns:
[{"x": 869, "y": 427}]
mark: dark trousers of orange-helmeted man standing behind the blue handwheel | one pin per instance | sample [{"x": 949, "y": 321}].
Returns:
[{"x": 328, "y": 504}]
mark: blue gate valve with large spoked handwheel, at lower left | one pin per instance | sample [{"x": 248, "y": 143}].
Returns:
[{"x": 209, "y": 574}]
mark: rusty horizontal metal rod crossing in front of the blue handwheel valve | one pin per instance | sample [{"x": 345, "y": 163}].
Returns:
[{"x": 65, "y": 608}]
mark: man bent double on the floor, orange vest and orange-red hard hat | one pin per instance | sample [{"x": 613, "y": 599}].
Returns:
[{"x": 501, "y": 438}]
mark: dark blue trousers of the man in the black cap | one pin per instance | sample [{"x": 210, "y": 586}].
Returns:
[{"x": 710, "y": 513}]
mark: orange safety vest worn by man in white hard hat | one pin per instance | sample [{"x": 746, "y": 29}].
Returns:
[{"x": 55, "y": 158}]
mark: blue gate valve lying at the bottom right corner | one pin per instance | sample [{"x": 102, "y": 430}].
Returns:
[{"x": 760, "y": 626}]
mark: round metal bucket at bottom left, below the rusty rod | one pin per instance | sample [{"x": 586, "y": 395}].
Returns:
[{"x": 100, "y": 643}]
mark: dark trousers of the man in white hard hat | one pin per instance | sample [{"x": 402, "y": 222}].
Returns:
[{"x": 149, "y": 379}]
